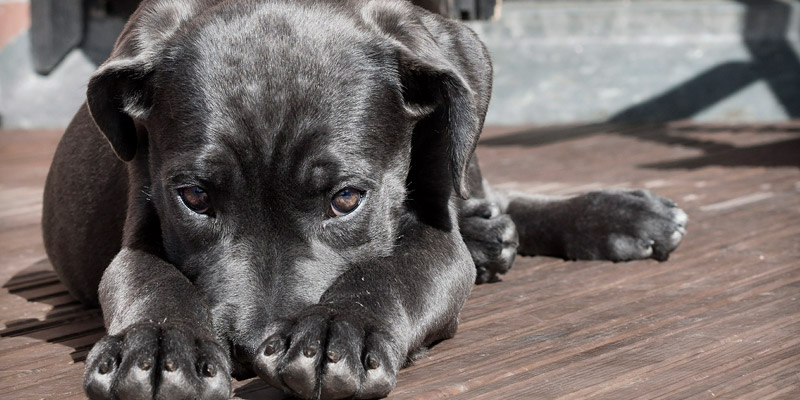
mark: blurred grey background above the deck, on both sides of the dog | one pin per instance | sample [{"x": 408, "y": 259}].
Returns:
[{"x": 556, "y": 62}]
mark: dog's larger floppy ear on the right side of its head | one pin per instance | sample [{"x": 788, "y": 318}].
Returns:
[{"x": 446, "y": 79}]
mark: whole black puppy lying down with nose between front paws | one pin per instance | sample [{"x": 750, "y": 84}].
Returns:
[{"x": 284, "y": 198}]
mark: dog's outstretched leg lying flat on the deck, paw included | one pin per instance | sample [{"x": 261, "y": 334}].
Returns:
[{"x": 616, "y": 225}]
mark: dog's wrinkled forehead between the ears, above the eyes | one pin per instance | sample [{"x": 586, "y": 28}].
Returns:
[{"x": 278, "y": 84}]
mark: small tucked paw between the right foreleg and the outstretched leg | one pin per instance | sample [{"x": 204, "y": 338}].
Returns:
[{"x": 491, "y": 238}]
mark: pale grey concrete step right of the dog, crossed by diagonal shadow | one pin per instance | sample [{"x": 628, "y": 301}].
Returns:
[{"x": 643, "y": 60}]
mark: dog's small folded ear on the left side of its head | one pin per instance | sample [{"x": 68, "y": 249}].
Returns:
[{"x": 119, "y": 92}]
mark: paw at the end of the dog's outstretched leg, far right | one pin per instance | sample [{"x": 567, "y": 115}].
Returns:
[{"x": 622, "y": 225}]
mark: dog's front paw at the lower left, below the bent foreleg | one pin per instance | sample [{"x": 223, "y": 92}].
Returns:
[{"x": 157, "y": 361}]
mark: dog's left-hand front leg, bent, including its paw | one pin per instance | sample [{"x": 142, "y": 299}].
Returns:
[{"x": 160, "y": 342}]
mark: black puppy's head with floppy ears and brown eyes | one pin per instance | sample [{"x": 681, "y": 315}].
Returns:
[{"x": 275, "y": 144}]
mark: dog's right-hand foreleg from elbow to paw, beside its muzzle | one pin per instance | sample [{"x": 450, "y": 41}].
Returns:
[{"x": 353, "y": 342}]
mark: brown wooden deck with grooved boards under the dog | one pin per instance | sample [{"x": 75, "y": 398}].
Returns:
[{"x": 720, "y": 319}]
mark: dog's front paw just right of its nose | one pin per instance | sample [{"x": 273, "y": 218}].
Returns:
[{"x": 329, "y": 352}]
